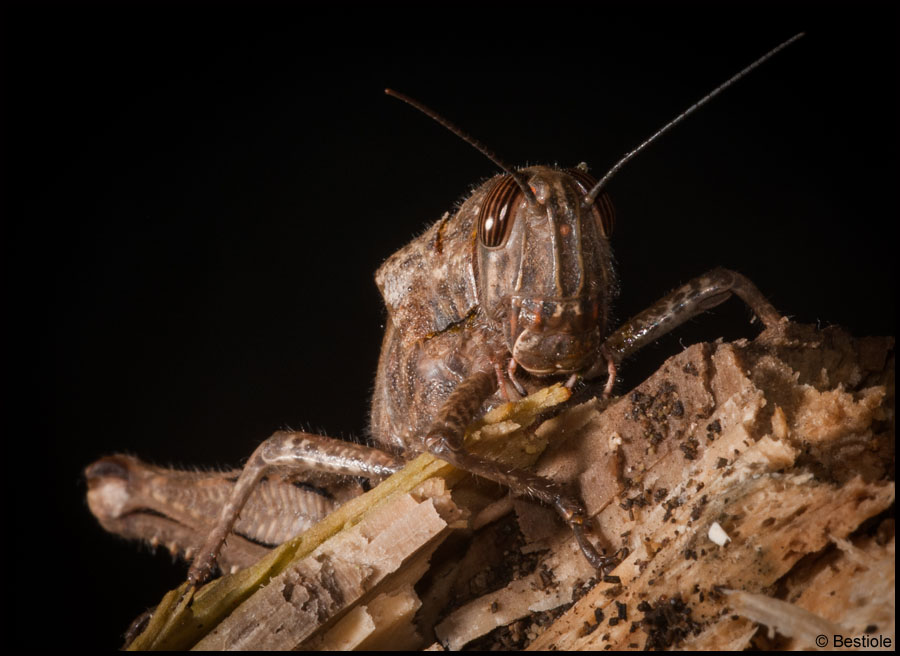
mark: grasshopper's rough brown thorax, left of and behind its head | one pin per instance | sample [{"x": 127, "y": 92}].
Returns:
[{"x": 429, "y": 344}]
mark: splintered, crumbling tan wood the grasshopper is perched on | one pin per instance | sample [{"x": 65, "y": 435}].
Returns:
[{"x": 748, "y": 487}]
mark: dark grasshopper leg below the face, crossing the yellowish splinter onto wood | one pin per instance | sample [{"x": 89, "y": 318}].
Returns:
[{"x": 445, "y": 441}]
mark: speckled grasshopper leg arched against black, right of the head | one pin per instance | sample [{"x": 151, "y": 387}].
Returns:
[{"x": 689, "y": 300}]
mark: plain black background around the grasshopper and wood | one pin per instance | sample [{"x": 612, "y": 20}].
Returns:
[{"x": 195, "y": 198}]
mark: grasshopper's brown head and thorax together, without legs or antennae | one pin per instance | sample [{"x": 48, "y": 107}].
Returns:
[{"x": 455, "y": 305}]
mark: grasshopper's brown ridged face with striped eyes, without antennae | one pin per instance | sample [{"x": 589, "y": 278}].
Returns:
[{"x": 545, "y": 268}]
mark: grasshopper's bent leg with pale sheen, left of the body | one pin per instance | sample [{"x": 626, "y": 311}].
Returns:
[{"x": 289, "y": 451}]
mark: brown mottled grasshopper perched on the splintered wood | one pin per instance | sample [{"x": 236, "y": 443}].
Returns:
[{"x": 511, "y": 291}]
